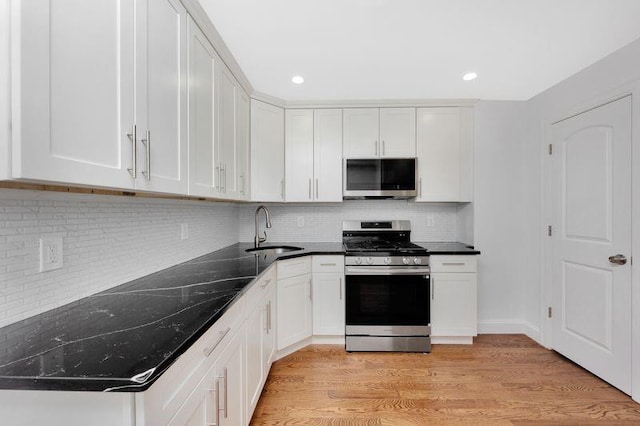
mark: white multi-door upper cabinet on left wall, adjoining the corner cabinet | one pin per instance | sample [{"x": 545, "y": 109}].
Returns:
[{"x": 218, "y": 124}]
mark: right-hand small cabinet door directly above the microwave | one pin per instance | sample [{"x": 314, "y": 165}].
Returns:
[{"x": 397, "y": 132}]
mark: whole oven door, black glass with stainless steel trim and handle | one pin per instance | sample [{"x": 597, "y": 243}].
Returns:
[{"x": 387, "y": 301}]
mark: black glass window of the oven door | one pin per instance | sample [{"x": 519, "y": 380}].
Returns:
[{"x": 387, "y": 300}]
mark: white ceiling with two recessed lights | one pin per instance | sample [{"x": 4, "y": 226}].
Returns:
[{"x": 419, "y": 49}]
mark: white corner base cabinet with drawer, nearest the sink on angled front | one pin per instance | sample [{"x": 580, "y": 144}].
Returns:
[{"x": 294, "y": 301}]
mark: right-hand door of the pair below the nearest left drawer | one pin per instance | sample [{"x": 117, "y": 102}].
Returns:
[{"x": 230, "y": 383}]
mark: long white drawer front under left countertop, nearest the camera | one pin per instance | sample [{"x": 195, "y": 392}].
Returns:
[{"x": 170, "y": 391}]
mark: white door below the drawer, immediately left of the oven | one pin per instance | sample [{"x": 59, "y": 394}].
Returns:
[{"x": 328, "y": 304}]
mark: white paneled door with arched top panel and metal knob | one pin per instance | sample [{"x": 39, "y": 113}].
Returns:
[{"x": 591, "y": 182}]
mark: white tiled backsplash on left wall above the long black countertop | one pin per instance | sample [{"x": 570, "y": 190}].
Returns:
[{"x": 107, "y": 241}]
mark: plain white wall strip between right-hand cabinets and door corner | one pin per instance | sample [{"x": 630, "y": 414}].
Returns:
[{"x": 500, "y": 213}]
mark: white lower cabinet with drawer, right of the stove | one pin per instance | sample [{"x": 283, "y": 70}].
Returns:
[{"x": 454, "y": 312}]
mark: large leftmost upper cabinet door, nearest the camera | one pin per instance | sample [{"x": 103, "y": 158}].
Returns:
[{"x": 74, "y": 94}]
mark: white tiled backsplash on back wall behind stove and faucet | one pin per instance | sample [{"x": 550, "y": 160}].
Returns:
[{"x": 323, "y": 222}]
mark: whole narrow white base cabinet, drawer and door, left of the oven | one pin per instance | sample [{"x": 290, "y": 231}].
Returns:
[{"x": 328, "y": 296}]
